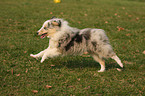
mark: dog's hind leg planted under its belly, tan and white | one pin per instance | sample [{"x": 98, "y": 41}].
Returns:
[{"x": 101, "y": 62}]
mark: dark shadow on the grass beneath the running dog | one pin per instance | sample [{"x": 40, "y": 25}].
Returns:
[{"x": 81, "y": 62}]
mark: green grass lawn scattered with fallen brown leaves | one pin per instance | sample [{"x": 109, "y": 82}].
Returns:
[{"x": 20, "y": 74}]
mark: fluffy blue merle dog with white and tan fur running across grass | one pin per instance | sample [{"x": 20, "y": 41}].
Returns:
[{"x": 65, "y": 40}]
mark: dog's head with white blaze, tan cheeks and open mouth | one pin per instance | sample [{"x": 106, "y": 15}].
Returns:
[{"x": 50, "y": 27}]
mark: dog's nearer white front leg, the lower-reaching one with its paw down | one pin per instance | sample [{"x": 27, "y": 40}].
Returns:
[{"x": 50, "y": 54}]
